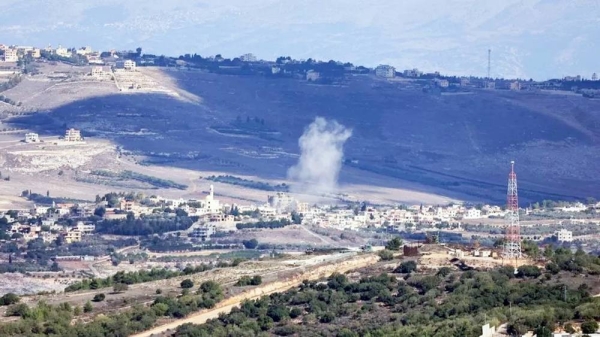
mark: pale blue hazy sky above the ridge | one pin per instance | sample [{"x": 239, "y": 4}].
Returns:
[{"x": 537, "y": 39}]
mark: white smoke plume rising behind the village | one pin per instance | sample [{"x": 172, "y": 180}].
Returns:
[{"x": 322, "y": 151}]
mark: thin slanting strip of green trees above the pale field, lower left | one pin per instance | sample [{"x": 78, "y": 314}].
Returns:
[{"x": 136, "y": 277}]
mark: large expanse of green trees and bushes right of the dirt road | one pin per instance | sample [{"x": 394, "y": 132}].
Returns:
[{"x": 447, "y": 303}]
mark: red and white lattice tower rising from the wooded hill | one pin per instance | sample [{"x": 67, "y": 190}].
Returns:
[{"x": 512, "y": 246}]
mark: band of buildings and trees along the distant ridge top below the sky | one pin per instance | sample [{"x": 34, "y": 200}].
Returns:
[{"x": 106, "y": 63}]
